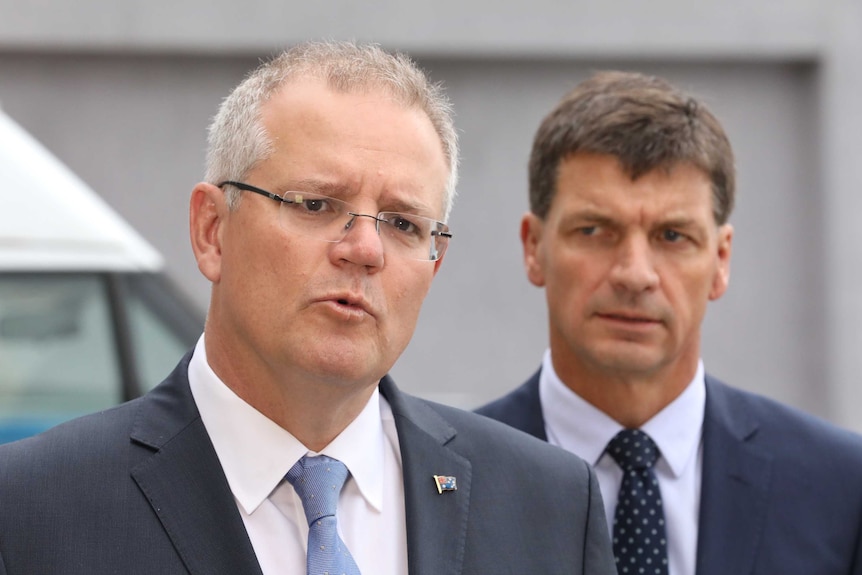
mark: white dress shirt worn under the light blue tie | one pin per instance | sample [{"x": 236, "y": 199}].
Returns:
[{"x": 255, "y": 454}]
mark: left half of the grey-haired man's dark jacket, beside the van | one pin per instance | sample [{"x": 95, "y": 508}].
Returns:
[{"x": 134, "y": 489}]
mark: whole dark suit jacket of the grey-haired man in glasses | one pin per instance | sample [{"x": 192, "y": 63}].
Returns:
[{"x": 138, "y": 489}]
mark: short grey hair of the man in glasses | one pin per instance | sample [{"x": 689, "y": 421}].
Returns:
[{"x": 238, "y": 139}]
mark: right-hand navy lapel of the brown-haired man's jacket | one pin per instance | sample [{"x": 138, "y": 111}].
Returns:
[{"x": 735, "y": 486}]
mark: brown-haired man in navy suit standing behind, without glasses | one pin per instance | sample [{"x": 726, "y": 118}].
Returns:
[{"x": 631, "y": 187}]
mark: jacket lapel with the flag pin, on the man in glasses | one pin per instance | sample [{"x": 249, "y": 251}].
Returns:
[{"x": 436, "y": 522}]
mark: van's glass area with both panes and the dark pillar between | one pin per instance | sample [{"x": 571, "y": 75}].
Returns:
[{"x": 75, "y": 343}]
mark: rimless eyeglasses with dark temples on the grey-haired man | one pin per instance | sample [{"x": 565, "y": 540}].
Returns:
[{"x": 329, "y": 219}]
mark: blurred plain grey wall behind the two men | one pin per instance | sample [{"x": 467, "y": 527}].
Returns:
[{"x": 122, "y": 92}]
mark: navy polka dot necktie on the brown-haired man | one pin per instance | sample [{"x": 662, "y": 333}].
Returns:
[{"x": 640, "y": 543}]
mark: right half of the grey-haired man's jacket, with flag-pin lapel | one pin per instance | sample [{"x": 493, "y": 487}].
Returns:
[{"x": 521, "y": 505}]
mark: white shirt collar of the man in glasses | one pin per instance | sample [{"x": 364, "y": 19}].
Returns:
[{"x": 256, "y": 453}]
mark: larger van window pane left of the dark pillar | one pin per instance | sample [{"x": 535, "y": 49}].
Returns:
[{"x": 57, "y": 347}]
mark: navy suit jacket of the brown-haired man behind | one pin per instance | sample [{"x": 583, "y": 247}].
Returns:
[{"x": 781, "y": 491}]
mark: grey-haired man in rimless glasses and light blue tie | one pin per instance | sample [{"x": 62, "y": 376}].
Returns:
[{"x": 280, "y": 445}]
